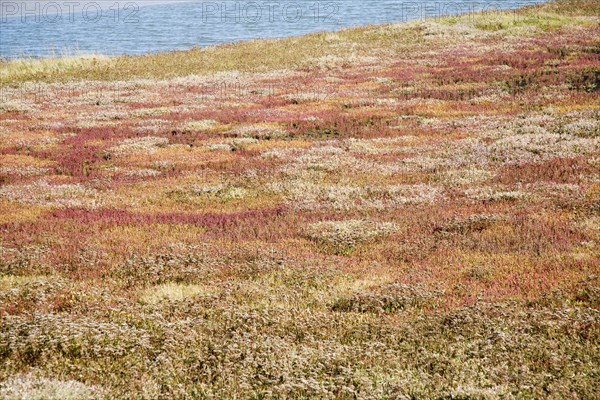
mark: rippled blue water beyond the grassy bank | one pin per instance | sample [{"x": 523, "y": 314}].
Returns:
[{"x": 44, "y": 28}]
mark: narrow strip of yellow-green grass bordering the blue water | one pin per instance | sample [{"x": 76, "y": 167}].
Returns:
[{"x": 220, "y": 58}]
